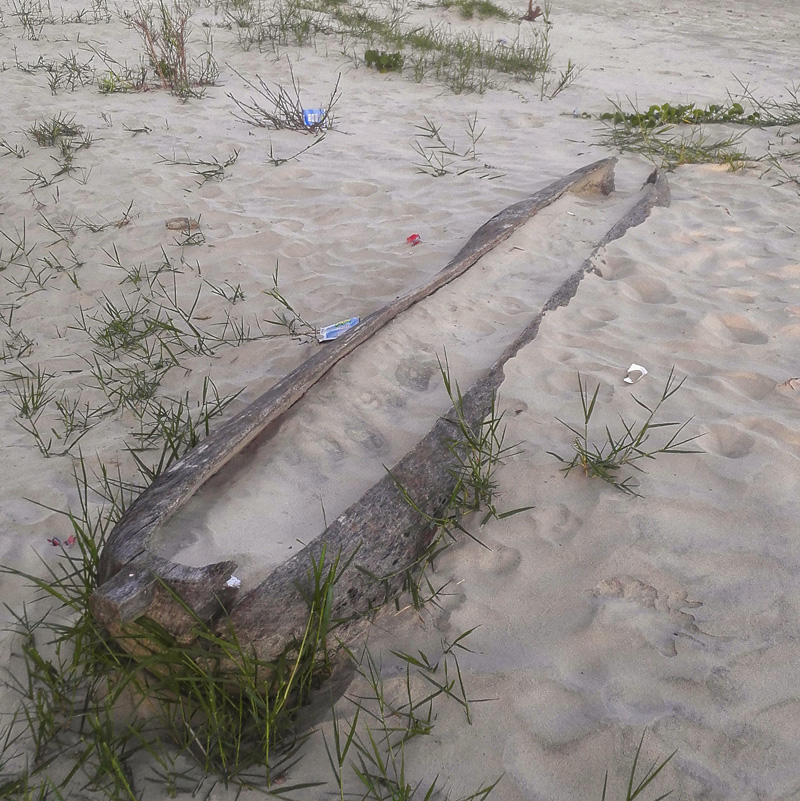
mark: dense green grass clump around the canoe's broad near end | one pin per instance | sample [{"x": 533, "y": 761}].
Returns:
[{"x": 205, "y": 711}]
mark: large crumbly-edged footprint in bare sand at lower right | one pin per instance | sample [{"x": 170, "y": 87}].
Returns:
[{"x": 656, "y": 616}]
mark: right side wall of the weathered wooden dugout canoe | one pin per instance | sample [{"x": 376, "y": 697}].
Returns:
[{"x": 381, "y": 528}]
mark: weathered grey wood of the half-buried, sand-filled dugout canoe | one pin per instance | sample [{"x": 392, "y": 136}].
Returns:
[{"x": 381, "y": 528}]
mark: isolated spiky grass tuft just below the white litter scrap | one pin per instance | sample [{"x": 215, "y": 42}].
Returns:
[{"x": 626, "y": 449}]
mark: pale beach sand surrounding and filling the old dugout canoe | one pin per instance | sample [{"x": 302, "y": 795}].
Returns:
[{"x": 596, "y": 615}]
